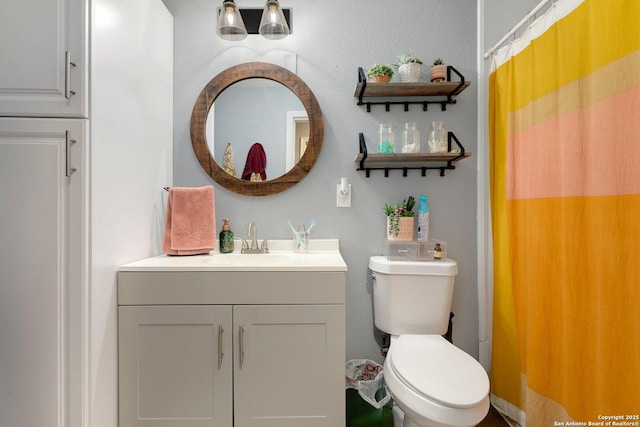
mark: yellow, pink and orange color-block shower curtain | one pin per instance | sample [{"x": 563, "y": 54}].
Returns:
[{"x": 564, "y": 124}]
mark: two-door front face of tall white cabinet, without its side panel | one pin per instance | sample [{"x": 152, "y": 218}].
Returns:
[{"x": 43, "y": 141}]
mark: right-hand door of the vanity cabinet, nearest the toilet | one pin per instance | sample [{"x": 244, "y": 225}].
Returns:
[{"x": 289, "y": 369}]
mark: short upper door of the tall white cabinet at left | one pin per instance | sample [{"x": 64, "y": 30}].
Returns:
[{"x": 39, "y": 42}]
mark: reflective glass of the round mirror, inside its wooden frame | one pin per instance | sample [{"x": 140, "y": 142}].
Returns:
[{"x": 257, "y": 129}]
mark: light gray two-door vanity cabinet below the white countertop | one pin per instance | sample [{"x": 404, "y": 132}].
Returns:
[{"x": 193, "y": 354}]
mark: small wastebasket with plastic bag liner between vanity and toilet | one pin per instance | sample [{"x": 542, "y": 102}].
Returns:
[{"x": 368, "y": 400}]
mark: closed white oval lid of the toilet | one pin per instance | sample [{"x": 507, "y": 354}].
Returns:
[{"x": 438, "y": 370}]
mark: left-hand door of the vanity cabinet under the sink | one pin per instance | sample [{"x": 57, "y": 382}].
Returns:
[{"x": 175, "y": 366}]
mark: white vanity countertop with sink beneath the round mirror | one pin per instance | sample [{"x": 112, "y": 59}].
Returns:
[{"x": 323, "y": 255}]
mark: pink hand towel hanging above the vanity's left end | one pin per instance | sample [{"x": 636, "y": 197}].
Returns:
[{"x": 190, "y": 223}]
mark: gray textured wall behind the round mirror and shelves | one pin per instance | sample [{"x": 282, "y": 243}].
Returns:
[{"x": 330, "y": 40}]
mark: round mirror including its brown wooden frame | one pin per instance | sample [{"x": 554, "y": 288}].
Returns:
[{"x": 300, "y": 146}]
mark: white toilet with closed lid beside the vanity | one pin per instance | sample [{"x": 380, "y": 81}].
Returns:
[{"x": 432, "y": 381}]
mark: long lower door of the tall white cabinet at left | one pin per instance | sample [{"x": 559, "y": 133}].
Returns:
[{"x": 41, "y": 287}]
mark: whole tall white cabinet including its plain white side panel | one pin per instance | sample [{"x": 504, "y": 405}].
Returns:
[{"x": 85, "y": 131}]
